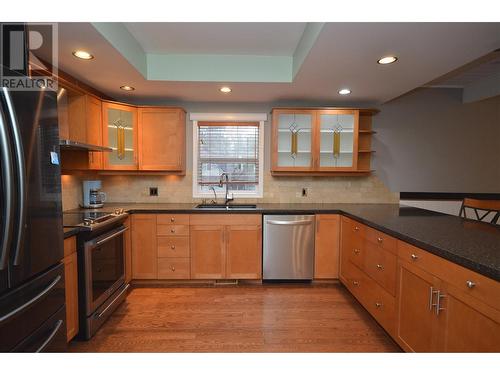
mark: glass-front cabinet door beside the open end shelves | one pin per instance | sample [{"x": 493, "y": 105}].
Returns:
[{"x": 337, "y": 137}]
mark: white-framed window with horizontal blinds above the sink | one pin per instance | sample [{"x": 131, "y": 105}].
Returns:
[{"x": 232, "y": 147}]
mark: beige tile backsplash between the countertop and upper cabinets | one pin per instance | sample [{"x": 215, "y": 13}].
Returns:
[{"x": 178, "y": 189}]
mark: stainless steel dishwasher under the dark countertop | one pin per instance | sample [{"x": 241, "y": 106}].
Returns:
[{"x": 288, "y": 247}]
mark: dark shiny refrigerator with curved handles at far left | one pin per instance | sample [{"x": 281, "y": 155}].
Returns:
[{"x": 32, "y": 309}]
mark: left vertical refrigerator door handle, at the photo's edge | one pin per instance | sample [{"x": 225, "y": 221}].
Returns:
[{"x": 6, "y": 170}]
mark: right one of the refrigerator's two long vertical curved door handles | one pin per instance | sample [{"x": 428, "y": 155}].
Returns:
[{"x": 21, "y": 177}]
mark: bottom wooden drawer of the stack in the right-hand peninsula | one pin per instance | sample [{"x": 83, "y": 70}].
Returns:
[{"x": 380, "y": 304}]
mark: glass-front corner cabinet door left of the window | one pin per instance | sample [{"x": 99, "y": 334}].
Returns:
[{"x": 120, "y": 133}]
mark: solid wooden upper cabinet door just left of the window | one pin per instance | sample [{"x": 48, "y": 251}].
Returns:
[{"x": 162, "y": 138}]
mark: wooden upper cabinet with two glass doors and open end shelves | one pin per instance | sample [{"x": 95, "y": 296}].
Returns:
[{"x": 320, "y": 141}]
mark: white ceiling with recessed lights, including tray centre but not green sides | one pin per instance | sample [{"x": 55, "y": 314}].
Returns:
[{"x": 344, "y": 55}]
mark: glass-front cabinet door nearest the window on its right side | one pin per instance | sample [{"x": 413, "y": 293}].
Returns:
[{"x": 293, "y": 140}]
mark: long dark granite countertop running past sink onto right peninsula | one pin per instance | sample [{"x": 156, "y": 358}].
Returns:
[{"x": 471, "y": 244}]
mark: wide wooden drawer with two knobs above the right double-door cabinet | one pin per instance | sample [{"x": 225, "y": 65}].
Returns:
[{"x": 482, "y": 288}]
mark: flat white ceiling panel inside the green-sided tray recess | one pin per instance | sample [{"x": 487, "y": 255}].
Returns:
[{"x": 224, "y": 38}]
